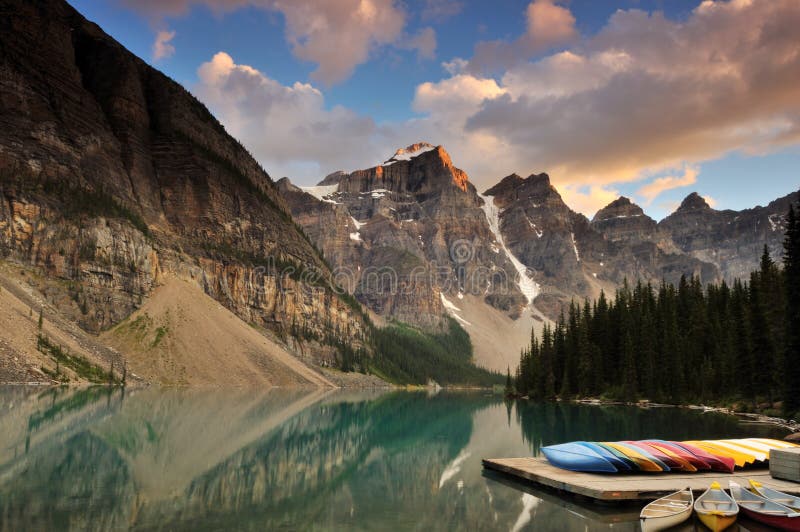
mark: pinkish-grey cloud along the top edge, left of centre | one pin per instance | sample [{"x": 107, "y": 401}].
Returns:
[{"x": 336, "y": 35}]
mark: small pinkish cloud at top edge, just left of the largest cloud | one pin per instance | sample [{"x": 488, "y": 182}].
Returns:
[{"x": 547, "y": 25}]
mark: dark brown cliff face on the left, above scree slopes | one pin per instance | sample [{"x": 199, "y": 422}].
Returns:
[{"x": 112, "y": 175}]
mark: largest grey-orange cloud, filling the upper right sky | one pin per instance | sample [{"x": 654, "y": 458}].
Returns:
[{"x": 647, "y": 94}]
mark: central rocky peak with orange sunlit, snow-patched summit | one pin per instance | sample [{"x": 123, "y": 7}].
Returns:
[{"x": 408, "y": 236}]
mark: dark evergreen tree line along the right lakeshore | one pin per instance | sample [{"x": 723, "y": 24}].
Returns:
[{"x": 722, "y": 343}]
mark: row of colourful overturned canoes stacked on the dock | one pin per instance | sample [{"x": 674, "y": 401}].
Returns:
[{"x": 656, "y": 456}]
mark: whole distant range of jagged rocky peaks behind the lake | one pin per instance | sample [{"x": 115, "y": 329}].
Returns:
[{"x": 516, "y": 249}]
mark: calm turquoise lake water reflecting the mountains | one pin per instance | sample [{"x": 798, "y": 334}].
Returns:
[{"x": 205, "y": 459}]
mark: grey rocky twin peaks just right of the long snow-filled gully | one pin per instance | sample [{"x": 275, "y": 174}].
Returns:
[{"x": 573, "y": 257}]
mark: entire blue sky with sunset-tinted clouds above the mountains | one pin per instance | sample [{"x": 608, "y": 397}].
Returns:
[{"x": 651, "y": 99}]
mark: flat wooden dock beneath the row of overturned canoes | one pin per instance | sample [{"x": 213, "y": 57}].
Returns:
[{"x": 636, "y": 487}]
